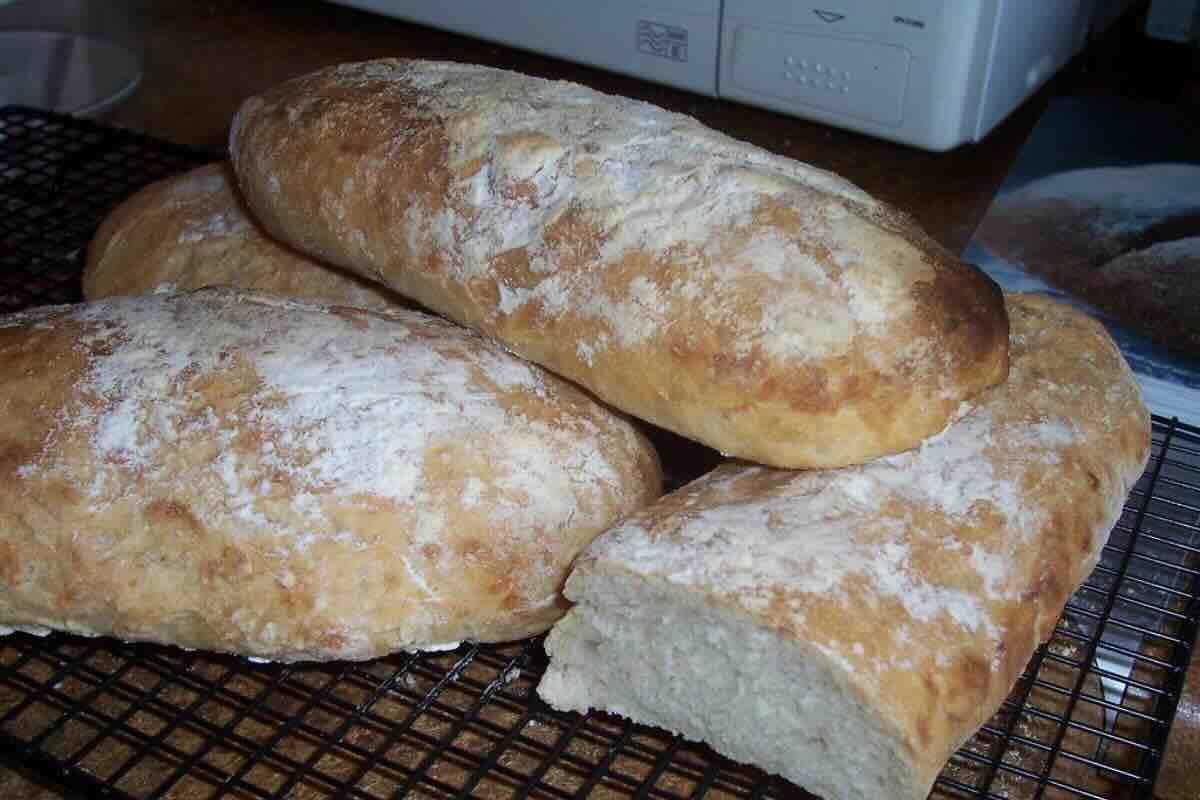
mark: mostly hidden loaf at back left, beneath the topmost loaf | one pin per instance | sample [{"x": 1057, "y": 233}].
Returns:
[{"x": 193, "y": 231}]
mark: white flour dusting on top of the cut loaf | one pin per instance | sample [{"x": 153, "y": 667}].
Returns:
[{"x": 813, "y": 534}]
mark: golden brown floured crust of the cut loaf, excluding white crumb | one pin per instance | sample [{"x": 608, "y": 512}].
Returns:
[{"x": 925, "y": 581}]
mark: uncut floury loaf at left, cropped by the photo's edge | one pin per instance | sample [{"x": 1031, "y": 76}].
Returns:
[{"x": 244, "y": 473}]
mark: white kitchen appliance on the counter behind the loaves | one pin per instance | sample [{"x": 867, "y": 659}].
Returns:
[{"x": 932, "y": 74}]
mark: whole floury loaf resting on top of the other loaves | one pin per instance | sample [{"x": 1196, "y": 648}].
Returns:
[{"x": 754, "y": 304}]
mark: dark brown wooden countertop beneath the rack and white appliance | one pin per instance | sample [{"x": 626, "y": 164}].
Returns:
[{"x": 203, "y": 58}]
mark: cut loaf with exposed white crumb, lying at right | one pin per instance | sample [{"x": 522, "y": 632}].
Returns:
[{"x": 850, "y": 629}]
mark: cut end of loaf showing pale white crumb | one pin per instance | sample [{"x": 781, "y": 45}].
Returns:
[{"x": 634, "y": 647}]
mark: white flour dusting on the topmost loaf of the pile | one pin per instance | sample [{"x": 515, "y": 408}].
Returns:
[{"x": 650, "y": 183}]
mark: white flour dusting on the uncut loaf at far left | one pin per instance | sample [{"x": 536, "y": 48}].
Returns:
[{"x": 339, "y": 408}]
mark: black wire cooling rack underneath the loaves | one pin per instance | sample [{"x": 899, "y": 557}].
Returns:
[{"x": 97, "y": 718}]
